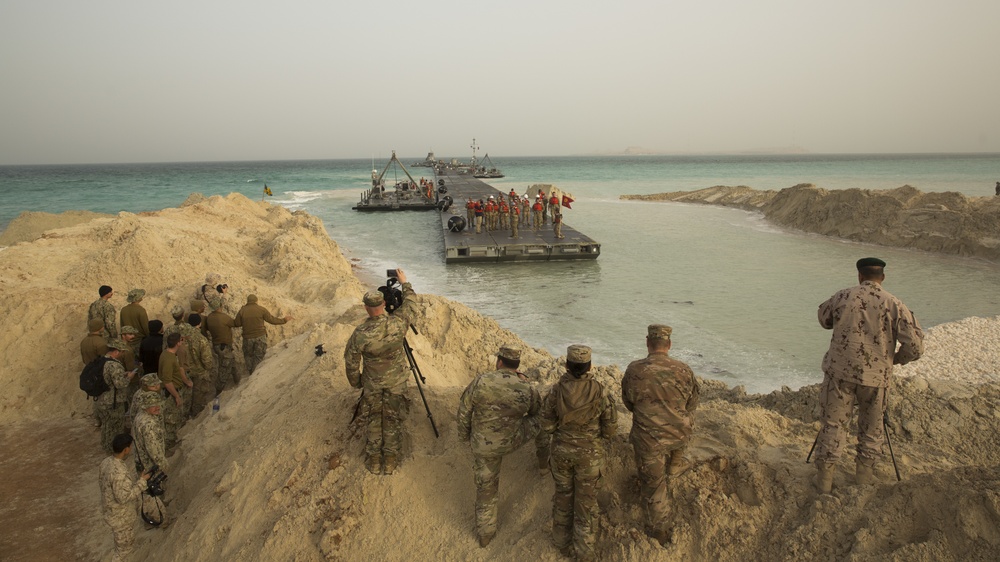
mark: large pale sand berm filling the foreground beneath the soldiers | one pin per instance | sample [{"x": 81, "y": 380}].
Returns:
[{"x": 277, "y": 473}]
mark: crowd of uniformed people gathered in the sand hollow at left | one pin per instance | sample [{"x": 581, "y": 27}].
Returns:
[{"x": 158, "y": 377}]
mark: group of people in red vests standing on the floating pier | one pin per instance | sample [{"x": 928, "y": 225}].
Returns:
[{"x": 513, "y": 211}]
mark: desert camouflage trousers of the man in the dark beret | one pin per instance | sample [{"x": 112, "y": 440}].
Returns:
[{"x": 837, "y": 399}]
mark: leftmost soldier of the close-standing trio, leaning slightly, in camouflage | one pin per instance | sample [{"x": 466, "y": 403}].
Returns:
[{"x": 497, "y": 413}]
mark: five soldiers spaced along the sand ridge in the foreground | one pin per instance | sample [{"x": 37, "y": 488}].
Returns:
[{"x": 501, "y": 410}]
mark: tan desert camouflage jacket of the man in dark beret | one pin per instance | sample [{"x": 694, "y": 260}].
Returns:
[{"x": 867, "y": 322}]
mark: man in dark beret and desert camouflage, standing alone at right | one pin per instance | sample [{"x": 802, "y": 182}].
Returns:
[{"x": 867, "y": 323}]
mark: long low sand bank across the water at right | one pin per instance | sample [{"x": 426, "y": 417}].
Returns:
[{"x": 949, "y": 222}]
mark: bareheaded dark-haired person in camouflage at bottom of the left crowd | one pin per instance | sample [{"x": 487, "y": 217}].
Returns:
[{"x": 120, "y": 494}]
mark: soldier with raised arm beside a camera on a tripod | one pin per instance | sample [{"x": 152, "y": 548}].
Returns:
[{"x": 376, "y": 361}]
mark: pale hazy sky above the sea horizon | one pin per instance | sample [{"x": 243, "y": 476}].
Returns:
[{"x": 120, "y": 81}]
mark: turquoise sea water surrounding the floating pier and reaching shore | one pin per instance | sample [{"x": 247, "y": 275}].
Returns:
[{"x": 740, "y": 293}]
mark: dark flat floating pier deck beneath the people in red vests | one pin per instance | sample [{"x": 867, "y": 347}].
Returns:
[{"x": 497, "y": 245}]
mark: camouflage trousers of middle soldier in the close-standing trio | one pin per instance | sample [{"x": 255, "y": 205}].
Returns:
[{"x": 574, "y": 504}]
